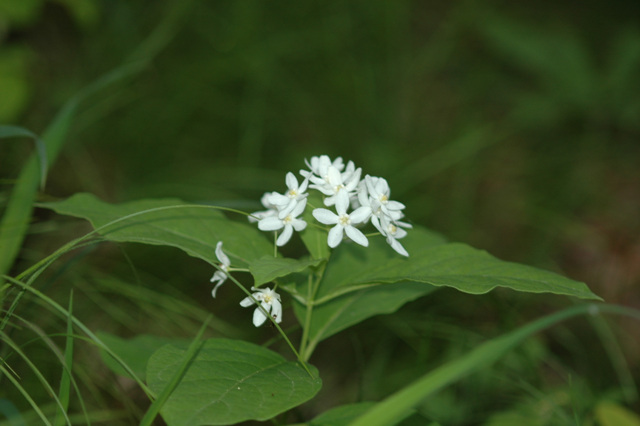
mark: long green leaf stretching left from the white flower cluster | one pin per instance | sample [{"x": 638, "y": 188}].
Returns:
[{"x": 195, "y": 229}]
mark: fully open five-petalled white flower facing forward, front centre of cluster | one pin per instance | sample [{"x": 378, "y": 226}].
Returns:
[{"x": 343, "y": 222}]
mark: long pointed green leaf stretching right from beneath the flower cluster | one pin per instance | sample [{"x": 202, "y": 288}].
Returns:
[{"x": 433, "y": 262}]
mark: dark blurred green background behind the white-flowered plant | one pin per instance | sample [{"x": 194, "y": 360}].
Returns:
[{"x": 510, "y": 126}]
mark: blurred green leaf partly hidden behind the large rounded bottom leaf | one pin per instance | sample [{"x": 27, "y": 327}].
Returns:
[{"x": 134, "y": 352}]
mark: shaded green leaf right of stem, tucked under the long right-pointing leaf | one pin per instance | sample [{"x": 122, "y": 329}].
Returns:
[{"x": 349, "y": 309}]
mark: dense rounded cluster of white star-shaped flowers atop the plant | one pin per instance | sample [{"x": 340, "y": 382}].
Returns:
[{"x": 356, "y": 200}]
